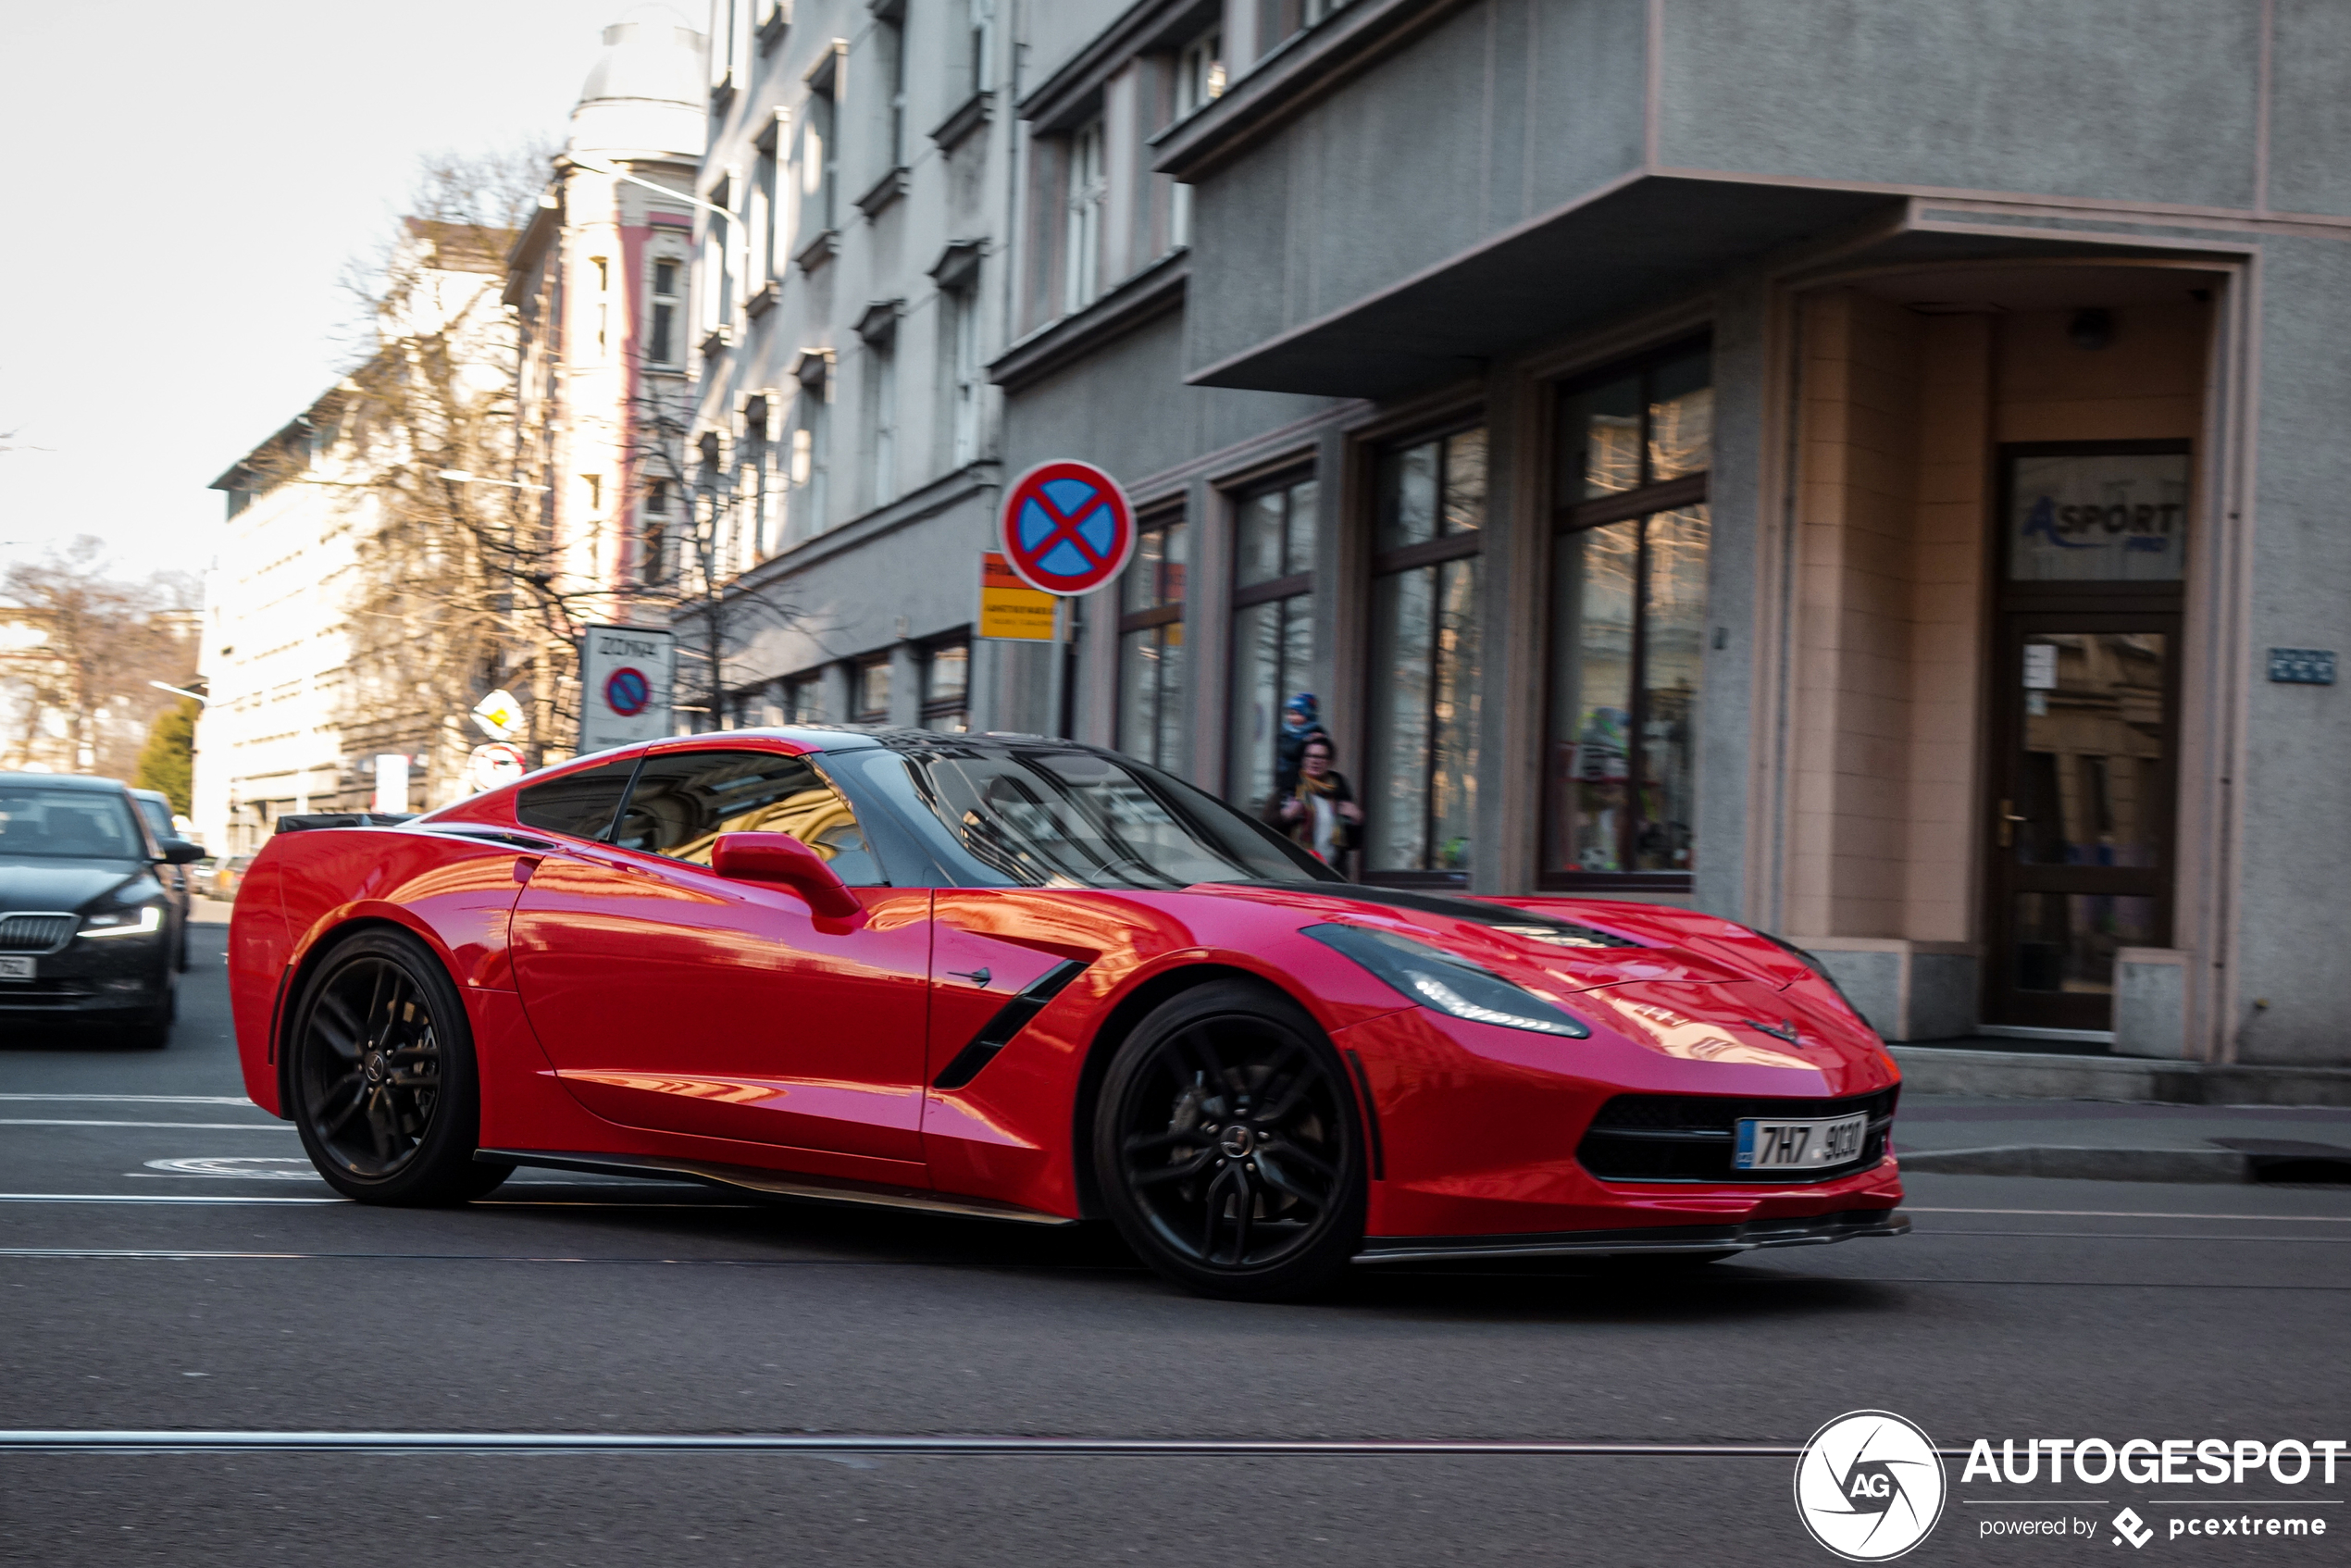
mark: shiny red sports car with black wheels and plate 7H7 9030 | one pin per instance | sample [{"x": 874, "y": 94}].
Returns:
[{"x": 1036, "y": 981}]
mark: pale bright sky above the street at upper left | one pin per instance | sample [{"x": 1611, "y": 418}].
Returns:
[{"x": 189, "y": 185}]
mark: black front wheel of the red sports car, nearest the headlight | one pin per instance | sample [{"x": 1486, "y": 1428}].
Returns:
[{"x": 1228, "y": 1146}]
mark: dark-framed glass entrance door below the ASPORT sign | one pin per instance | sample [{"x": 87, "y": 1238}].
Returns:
[{"x": 2082, "y": 812}]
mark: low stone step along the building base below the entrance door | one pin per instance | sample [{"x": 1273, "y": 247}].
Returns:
[{"x": 2032, "y": 1076}]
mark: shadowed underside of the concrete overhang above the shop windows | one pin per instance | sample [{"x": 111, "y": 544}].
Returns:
[{"x": 1635, "y": 243}]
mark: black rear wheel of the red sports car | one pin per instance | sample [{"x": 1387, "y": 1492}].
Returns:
[{"x": 382, "y": 1076}]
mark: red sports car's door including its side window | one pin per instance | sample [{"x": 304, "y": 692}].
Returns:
[{"x": 681, "y": 1000}]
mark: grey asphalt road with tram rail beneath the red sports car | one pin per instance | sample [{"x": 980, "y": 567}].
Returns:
[{"x": 140, "y": 1294}]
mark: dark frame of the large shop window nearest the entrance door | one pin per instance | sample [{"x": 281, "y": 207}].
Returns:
[{"x": 1581, "y": 516}]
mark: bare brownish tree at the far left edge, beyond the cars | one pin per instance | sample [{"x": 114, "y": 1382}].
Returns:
[{"x": 81, "y": 648}]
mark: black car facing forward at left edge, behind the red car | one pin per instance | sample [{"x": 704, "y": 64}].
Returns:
[{"x": 88, "y": 932}]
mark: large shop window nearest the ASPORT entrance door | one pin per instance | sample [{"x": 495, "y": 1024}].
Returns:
[{"x": 1628, "y": 622}]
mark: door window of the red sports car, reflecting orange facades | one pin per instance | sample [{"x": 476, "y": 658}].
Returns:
[{"x": 685, "y": 800}]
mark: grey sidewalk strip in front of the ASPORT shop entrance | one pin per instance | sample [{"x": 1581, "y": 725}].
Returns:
[{"x": 2124, "y": 1144}]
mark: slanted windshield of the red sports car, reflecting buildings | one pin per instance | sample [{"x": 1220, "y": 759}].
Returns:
[{"x": 1043, "y": 817}]
